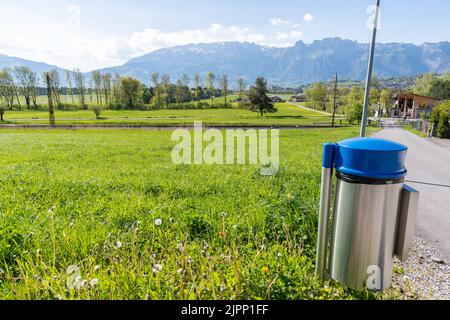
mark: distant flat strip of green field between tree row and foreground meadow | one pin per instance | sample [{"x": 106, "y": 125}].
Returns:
[{"x": 288, "y": 115}]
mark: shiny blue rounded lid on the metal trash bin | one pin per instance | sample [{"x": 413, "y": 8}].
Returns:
[{"x": 371, "y": 158}]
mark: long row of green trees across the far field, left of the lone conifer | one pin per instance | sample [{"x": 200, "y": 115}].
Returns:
[{"x": 108, "y": 91}]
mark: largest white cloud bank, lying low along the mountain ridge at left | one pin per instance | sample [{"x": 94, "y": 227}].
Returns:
[{"x": 89, "y": 53}]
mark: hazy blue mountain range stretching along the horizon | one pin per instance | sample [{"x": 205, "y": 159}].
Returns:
[{"x": 300, "y": 64}]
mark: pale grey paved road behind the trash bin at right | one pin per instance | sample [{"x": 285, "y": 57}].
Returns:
[{"x": 428, "y": 161}]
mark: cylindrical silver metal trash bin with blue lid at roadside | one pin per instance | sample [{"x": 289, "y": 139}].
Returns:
[{"x": 374, "y": 213}]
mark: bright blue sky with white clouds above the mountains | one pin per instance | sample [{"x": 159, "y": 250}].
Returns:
[{"x": 99, "y": 33}]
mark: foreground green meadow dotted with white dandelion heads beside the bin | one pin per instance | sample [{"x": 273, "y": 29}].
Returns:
[{"x": 104, "y": 214}]
